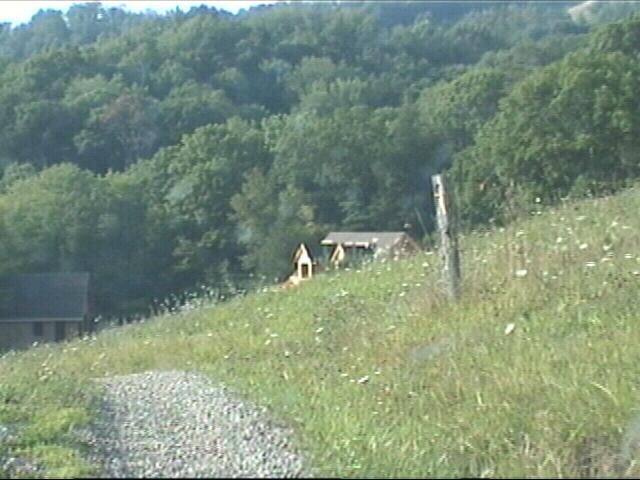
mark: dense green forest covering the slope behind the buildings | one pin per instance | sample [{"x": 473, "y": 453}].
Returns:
[{"x": 165, "y": 152}]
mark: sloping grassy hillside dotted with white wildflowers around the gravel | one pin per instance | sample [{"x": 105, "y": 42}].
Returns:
[{"x": 533, "y": 373}]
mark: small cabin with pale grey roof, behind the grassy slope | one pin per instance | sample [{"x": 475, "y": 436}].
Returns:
[{"x": 357, "y": 246}]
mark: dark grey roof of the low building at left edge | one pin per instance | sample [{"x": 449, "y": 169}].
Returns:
[{"x": 45, "y": 296}]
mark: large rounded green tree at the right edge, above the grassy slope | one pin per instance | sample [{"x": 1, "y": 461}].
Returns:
[{"x": 575, "y": 119}]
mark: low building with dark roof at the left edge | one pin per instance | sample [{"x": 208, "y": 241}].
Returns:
[{"x": 43, "y": 307}]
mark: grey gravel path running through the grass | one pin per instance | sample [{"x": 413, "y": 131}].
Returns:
[{"x": 178, "y": 424}]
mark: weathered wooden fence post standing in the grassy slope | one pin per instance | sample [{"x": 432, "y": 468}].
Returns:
[{"x": 448, "y": 238}]
